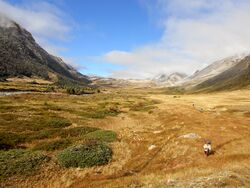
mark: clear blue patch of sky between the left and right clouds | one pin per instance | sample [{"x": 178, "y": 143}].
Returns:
[{"x": 100, "y": 26}]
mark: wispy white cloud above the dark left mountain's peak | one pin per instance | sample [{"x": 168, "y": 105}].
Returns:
[{"x": 45, "y": 21}]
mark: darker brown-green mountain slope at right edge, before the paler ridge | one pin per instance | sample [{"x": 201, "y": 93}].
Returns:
[{"x": 235, "y": 77}]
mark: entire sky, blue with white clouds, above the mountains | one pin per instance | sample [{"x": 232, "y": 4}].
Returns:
[{"x": 136, "y": 38}]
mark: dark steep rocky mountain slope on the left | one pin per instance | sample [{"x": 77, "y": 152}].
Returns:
[{"x": 20, "y": 55}]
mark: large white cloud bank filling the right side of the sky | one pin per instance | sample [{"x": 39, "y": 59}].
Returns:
[{"x": 196, "y": 33}]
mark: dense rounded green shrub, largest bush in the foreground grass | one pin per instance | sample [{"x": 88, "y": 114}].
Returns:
[{"x": 87, "y": 155}]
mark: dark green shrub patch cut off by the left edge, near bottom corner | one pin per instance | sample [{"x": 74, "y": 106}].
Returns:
[{"x": 20, "y": 162}]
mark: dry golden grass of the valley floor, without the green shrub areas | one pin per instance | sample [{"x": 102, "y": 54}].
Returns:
[{"x": 173, "y": 161}]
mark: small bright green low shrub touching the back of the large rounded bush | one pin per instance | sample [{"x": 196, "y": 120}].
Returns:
[{"x": 102, "y": 135}]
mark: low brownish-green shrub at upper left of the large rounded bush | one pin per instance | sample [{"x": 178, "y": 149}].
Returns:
[{"x": 53, "y": 145}]
